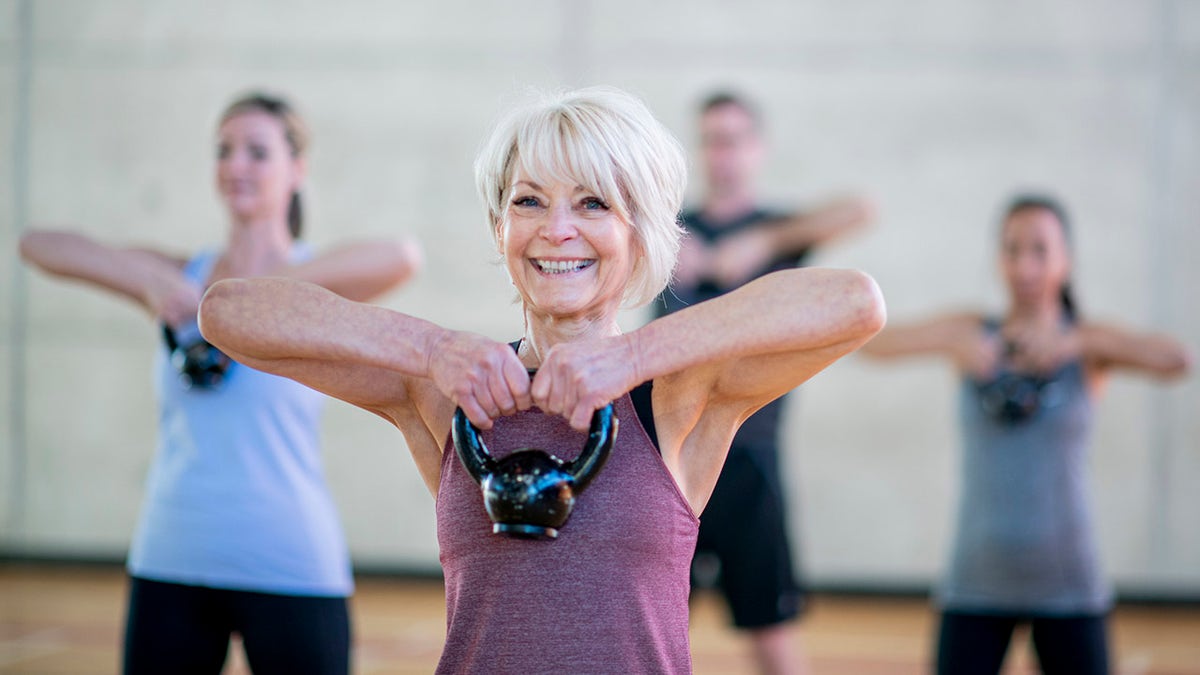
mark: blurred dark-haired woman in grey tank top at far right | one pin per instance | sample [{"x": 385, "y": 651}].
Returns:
[{"x": 1024, "y": 548}]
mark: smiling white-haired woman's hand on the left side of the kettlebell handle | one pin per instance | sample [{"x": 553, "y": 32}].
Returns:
[{"x": 482, "y": 377}]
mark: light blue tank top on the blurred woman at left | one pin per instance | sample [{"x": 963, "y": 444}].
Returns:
[{"x": 237, "y": 497}]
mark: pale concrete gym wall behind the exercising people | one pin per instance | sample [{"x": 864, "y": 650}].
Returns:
[{"x": 937, "y": 109}]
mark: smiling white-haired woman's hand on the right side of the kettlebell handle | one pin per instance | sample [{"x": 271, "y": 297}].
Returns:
[{"x": 578, "y": 379}]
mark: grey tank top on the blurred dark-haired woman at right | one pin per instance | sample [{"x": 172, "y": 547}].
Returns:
[{"x": 1024, "y": 540}]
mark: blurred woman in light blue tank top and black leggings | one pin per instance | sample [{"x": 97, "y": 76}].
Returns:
[{"x": 238, "y": 531}]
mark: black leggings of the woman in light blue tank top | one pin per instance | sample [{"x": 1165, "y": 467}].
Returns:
[{"x": 185, "y": 630}]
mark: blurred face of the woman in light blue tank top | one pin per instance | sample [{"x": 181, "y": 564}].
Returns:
[{"x": 257, "y": 172}]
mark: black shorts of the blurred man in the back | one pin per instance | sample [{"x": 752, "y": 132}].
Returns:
[{"x": 745, "y": 533}]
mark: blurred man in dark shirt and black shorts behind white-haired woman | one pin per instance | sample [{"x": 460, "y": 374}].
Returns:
[{"x": 734, "y": 240}]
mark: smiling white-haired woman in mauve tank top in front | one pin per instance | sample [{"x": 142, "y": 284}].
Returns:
[{"x": 581, "y": 193}]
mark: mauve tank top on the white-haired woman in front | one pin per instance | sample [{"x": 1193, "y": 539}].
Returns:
[{"x": 610, "y": 595}]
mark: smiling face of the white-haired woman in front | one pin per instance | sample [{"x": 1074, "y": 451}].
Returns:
[{"x": 569, "y": 255}]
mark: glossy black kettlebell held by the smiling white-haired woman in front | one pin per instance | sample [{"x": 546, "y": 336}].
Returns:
[{"x": 531, "y": 493}]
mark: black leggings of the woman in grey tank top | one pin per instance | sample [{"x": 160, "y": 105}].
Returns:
[{"x": 975, "y": 644}]
